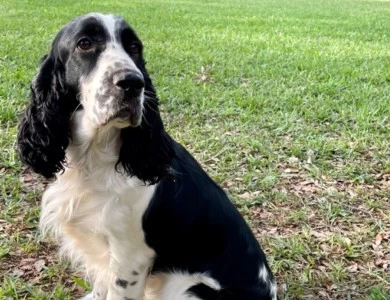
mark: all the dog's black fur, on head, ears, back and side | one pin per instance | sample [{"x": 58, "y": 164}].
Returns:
[{"x": 190, "y": 222}]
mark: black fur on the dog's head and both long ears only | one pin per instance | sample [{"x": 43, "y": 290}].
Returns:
[{"x": 43, "y": 135}]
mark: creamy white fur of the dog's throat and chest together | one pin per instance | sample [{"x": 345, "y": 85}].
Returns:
[{"x": 95, "y": 211}]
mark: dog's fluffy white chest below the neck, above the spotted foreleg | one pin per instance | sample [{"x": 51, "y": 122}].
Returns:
[{"x": 91, "y": 214}]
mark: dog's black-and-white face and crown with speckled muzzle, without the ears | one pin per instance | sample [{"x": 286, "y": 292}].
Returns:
[{"x": 102, "y": 61}]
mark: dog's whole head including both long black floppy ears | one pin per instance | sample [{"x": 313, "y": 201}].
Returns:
[{"x": 95, "y": 65}]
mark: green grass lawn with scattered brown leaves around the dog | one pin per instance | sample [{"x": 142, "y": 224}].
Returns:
[{"x": 285, "y": 103}]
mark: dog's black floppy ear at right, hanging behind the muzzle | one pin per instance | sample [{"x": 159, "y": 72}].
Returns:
[{"x": 147, "y": 150}]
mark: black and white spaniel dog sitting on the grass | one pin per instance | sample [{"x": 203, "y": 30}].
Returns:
[{"x": 129, "y": 204}]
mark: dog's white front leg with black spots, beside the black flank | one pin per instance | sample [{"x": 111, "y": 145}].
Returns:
[{"x": 129, "y": 267}]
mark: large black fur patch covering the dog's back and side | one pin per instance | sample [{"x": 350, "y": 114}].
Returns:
[{"x": 193, "y": 226}]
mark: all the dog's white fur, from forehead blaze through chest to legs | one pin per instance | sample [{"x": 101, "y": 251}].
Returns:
[{"x": 95, "y": 211}]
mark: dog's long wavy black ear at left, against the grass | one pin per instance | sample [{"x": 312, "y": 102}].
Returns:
[{"x": 43, "y": 130}]
